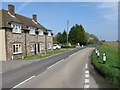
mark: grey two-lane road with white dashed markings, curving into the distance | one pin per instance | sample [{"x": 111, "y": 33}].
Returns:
[{"x": 71, "y": 69}]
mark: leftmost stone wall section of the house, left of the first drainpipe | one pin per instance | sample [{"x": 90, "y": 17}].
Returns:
[{"x": 13, "y": 38}]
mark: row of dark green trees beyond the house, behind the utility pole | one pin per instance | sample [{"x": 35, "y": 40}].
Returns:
[{"x": 76, "y": 35}]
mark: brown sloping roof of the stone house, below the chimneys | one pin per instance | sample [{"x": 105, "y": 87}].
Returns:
[{"x": 25, "y": 21}]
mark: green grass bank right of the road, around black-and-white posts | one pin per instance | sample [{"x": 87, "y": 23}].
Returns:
[{"x": 111, "y": 70}]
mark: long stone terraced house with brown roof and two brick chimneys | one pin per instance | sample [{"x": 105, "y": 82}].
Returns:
[{"x": 21, "y": 36}]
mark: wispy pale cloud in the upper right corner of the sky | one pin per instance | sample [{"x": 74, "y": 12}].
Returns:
[{"x": 109, "y": 10}]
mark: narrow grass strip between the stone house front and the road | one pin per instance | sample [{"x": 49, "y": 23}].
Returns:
[{"x": 44, "y": 55}]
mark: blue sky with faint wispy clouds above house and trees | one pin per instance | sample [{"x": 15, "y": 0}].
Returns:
[{"x": 98, "y": 18}]
